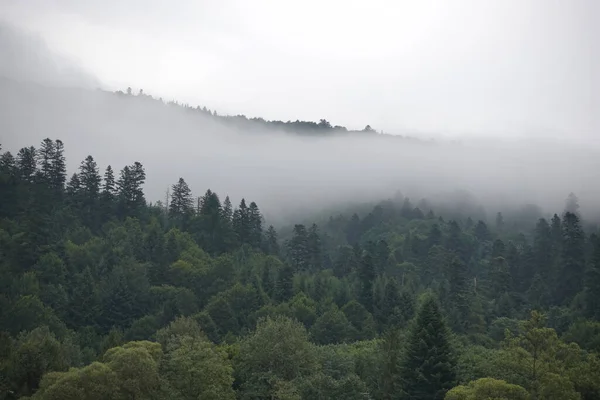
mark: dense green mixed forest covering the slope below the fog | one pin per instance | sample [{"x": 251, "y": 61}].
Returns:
[{"x": 106, "y": 295}]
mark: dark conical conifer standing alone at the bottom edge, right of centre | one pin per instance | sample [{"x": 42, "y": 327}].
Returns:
[{"x": 428, "y": 368}]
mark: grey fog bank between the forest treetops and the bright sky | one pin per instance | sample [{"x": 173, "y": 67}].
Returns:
[{"x": 287, "y": 174}]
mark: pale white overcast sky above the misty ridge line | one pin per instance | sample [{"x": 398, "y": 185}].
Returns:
[{"x": 510, "y": 67}]
